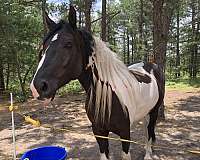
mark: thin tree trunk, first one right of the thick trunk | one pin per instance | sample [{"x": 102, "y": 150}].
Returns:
[{"x": 177, "y": 45}]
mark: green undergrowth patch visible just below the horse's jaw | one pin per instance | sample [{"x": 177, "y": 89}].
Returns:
[{"x": 73, "y": 87}]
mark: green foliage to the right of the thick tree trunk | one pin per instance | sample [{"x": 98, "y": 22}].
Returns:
[{"x": 189, "y": 40}]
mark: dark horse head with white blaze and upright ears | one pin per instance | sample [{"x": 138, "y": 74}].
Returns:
[{"x": 61, "y": 58}]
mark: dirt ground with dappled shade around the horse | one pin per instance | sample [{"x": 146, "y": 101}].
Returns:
[{"x": 179, "y": 133}]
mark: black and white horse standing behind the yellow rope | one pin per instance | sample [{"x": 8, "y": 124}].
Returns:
[{"x": 117, "y": 96}]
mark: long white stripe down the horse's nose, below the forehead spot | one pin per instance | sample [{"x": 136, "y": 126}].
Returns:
[{"x": 32, "y": 87}]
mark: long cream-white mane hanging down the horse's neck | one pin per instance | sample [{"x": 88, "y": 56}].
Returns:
[{"x": 113, "y": 76}]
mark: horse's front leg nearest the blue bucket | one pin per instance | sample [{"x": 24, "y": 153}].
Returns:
[{"x": 103, "y": 143}]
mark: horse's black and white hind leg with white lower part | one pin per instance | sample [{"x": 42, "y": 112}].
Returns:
[{"x": 149, "y": 128}]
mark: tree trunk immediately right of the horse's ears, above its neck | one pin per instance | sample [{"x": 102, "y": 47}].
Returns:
[{"x": 88, "y": 6}]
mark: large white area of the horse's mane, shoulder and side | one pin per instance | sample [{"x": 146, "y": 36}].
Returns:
[{"x": 138, "y": 98}]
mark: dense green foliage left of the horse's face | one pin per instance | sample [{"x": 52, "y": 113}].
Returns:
[{"x": 21, "y": 32}]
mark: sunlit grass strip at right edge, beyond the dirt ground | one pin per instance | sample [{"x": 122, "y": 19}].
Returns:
[{"x": 183, "y": 84}]
